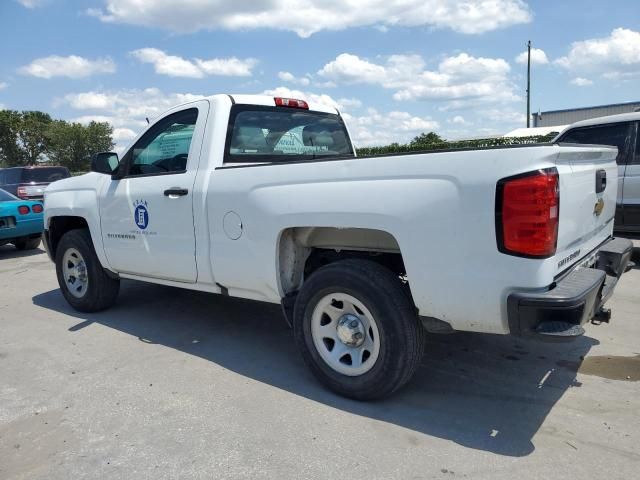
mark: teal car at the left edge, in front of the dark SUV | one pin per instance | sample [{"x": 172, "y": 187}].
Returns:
[{"x": 21, "y": 222}]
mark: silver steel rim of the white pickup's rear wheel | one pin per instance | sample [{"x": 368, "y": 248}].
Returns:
[{"x": 328, "y": 331}]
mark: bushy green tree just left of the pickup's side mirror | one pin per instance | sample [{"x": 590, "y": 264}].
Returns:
[{"x": 72, "y": 144}]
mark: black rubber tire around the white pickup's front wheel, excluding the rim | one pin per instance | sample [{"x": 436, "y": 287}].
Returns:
[{"x": 102, "y": 290}]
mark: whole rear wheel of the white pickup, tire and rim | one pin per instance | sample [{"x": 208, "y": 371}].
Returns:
[{"x": 357, "y": 329}]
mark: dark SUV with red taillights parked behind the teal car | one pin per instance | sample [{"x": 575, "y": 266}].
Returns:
[{"x": 29, "y": 183}]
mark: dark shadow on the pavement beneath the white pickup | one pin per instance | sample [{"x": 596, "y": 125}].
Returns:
[{"x": 486, "y": 392}]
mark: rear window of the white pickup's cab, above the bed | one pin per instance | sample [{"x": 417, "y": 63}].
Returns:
[{"x": 272, "y": 134}]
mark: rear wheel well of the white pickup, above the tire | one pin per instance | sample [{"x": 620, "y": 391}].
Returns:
[{"x": 303, "y": 250}]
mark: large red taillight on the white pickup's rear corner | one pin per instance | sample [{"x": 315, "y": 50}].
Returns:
[{"x": 527, "y": 210}]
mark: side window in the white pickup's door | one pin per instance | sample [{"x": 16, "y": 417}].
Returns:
[{"x": 165, "y": 147}]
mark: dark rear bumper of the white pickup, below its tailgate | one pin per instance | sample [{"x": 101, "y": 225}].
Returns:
[{"x": 575, "y": 299}]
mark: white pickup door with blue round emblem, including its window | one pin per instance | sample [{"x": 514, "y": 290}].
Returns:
[{"x": 147, "y": 215}]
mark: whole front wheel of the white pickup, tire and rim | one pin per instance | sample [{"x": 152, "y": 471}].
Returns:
[{"x": 83, "y": 281}]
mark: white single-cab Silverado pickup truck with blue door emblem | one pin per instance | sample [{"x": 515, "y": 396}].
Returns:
[{"x": 264, "y": 198}]
